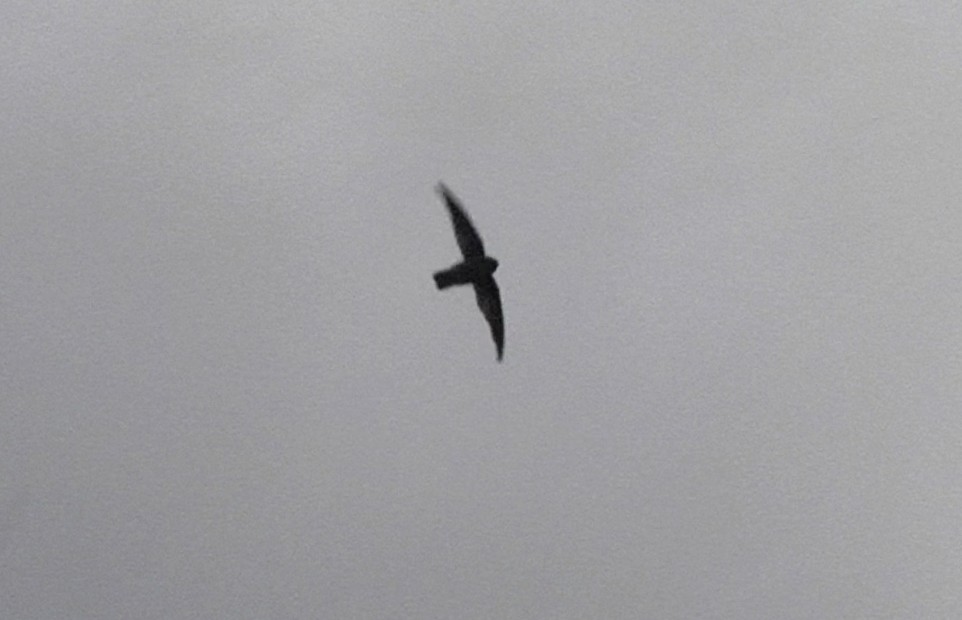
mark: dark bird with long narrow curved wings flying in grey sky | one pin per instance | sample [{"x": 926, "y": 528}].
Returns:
[{"x": 477, "y": 268}]
